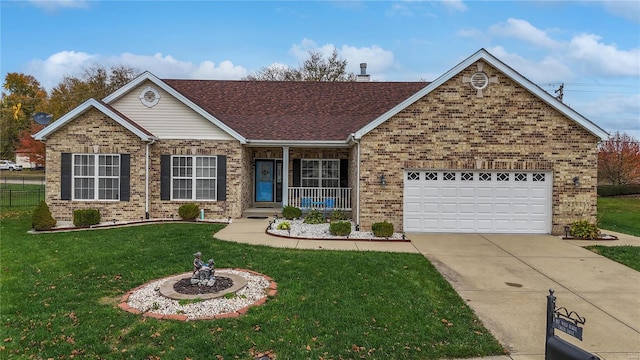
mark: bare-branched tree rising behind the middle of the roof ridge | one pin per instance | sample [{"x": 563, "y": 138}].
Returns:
[{"x": 315, "y": 68}]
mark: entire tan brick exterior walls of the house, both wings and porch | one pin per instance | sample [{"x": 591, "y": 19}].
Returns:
[{"x": 450, "y": 128}]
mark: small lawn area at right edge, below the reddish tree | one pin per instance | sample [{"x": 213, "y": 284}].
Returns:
[{"x": 619, "y": 214}]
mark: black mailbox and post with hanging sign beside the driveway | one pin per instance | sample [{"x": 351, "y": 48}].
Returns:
[{"x": 555, "y": 348}]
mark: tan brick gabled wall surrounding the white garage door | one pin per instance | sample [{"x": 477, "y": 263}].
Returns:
[{"x": 451, "y": 128}]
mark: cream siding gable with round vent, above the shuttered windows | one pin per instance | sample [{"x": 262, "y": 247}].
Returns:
[{"x": 169, "y": 118}]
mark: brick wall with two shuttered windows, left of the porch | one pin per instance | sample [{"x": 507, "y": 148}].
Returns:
[{"x": 94, "y": 128}]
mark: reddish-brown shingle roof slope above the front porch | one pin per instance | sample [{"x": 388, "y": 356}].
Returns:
[{"x": 288, "y": 110}]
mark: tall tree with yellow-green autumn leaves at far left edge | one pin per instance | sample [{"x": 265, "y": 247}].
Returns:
[{"x": 22, "y": 96}]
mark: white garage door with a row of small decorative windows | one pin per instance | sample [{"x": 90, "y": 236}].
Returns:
[{"x": 477, "y": 201}]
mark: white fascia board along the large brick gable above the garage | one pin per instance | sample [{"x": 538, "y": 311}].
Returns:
[{"x": 484, "y": 55}]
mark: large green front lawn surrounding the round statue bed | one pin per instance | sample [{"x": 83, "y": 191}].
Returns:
[{"x": 59, "y": 295}]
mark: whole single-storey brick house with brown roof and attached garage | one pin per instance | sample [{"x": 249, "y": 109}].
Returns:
[{"x": 480, "y": 149}]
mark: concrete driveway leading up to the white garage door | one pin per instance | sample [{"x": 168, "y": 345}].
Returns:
[{"x": 505, "y": 279}]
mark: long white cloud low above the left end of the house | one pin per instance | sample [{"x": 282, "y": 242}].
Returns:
[{"x": 51, "y": 71}]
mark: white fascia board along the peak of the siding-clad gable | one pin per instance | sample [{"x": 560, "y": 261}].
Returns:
[{"x": 161, "y": 84}]
